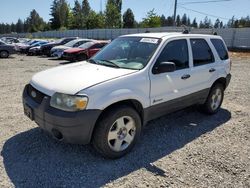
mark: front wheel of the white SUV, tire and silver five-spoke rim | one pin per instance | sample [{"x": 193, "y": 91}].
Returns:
[{"x": 117, "y": 132}]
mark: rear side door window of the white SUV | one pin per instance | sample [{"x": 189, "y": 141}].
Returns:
[{"x": 202, "y": 53}]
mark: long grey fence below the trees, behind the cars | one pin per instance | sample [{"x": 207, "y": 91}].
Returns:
[{"x": 234, "y": 37}]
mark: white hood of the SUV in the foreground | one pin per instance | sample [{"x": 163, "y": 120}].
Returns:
[{"x": 70, "y": 79}]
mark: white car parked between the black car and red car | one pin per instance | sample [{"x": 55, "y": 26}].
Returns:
[{"x": 57, "y": 51}]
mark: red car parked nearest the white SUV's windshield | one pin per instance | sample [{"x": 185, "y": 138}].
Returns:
[{"x": 84, "y": 51}]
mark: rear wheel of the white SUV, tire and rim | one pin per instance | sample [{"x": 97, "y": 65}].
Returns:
[{"x": 214, "y": 99}]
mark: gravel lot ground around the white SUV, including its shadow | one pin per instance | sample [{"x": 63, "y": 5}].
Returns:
[{"x": 184, "y": 149}]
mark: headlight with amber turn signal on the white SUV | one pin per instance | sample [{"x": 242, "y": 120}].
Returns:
[{"x": 69, "y": 103}]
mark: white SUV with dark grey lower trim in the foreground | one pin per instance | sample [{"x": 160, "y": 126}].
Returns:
[{"x": 136, "y": 78}]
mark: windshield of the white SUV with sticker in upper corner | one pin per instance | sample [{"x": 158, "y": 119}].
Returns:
[{"x": 128, "y": 52}]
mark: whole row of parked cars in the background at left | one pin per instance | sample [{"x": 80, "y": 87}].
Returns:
[{"x": 70, "y": 48}]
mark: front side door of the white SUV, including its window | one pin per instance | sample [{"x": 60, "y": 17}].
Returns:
[{"x": 167, "y": 88}]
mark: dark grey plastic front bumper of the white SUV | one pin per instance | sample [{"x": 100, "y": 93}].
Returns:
[{"x": 70, "y": 127}]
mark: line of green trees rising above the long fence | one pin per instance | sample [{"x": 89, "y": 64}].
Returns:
[{"x": 82, "y": 16}]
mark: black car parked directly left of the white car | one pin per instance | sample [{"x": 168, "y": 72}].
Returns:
[{"x": 45, "y": 49}]
